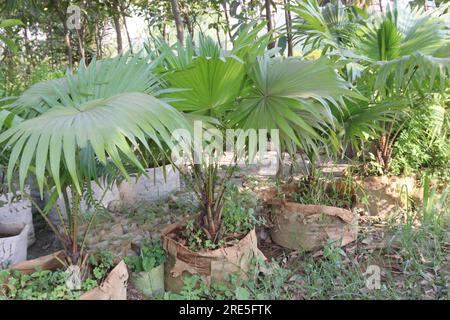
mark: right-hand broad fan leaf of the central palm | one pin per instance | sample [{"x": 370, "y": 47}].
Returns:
[{"x": 292, "y": 96}]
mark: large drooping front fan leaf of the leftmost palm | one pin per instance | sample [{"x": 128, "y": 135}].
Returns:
[{"x": 55, "y": 142}]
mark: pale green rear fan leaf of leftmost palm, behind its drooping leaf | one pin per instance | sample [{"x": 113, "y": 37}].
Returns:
[{"x": 101, "y": 79}]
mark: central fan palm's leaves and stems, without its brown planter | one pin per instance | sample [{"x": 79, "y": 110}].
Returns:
[{"x": 288, "y": 95}]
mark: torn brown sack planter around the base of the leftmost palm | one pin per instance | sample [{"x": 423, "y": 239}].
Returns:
[{"x": 114, "y": 287}]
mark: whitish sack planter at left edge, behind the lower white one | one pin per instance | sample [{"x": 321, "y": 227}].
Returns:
[{"x": 14, "y": 214}]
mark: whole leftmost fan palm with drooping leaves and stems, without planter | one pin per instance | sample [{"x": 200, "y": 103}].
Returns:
[{"x": 100, "y": 117}]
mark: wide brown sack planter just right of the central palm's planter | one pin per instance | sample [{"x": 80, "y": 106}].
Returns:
[{"x": 308, "y": 227}]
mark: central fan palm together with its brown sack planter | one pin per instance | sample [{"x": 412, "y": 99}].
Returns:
[{"x": 247, "y": 88}]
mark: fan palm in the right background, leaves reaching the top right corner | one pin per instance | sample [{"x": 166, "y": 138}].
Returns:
[{"x": 390, "y": 56}]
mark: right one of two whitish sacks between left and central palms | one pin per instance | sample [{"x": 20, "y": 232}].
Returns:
[{"x": 152, "y": 188}]
